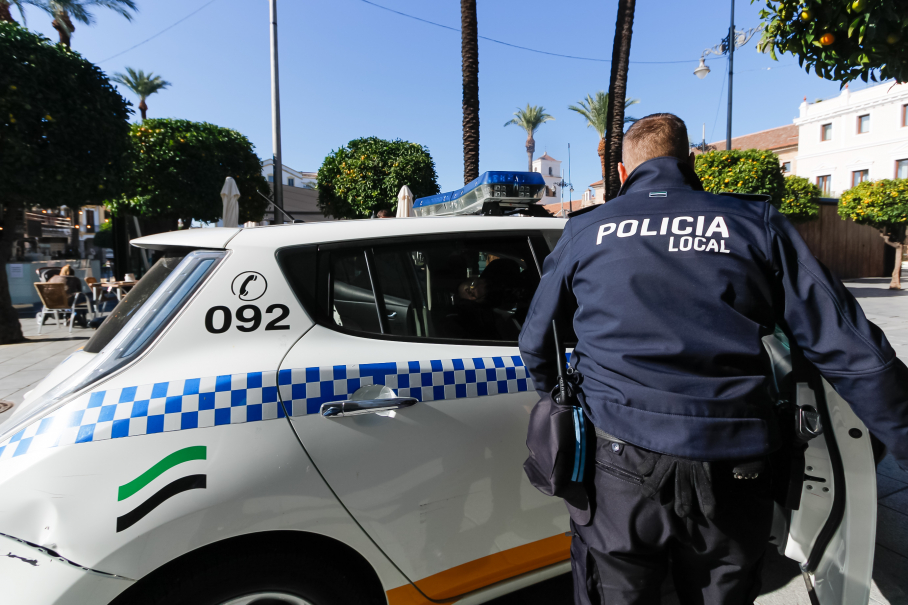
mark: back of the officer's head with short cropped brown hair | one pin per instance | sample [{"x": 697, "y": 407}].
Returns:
[{"x": 656, "y": 135}]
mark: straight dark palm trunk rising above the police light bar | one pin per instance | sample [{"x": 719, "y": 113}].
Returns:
[{"x": 469, "y": 51}]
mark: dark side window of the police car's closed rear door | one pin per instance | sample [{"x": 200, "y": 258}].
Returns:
[{"x": 461, "y": 288}]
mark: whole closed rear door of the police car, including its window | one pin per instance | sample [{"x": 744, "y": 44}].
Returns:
[{"x": 436, "y": 477}]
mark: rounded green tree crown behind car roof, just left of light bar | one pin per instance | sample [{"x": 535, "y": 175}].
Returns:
[{"x": 367, "y": 174}]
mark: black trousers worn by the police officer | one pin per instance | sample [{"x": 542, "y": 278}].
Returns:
[{"x": 623, "y": 556}]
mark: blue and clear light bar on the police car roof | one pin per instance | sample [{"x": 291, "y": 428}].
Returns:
[{"x": 503, "y": 189}]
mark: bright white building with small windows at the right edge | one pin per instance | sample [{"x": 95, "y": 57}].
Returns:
[{"x": 854, "y": 137}]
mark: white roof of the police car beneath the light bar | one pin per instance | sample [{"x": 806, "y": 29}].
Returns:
[{"x": 278, "y": 236}]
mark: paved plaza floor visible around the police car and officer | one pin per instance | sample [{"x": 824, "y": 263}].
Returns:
[{"x": 22, "y": 366}]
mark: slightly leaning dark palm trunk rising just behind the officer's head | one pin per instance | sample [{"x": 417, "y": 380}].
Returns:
[{"x": 617, "y": 92}]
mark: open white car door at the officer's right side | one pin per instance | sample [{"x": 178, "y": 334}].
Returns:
[{"x": 830, "y": 527}]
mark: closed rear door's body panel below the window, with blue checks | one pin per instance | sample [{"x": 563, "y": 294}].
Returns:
[{"x": 440, "y": 483}]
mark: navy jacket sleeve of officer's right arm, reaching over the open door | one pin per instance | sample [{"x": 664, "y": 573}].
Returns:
[{"x": 829, "y": 325}]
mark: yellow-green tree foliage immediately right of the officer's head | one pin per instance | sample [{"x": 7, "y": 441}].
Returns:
[{"x": 736, "y": 171}]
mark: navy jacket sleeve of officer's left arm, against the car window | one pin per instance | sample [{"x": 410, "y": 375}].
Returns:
[{"x": 553, "y": 300}]
